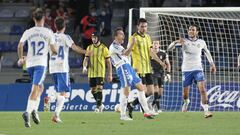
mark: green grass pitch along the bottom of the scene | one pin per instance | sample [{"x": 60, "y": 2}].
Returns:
[{"x": 108, "y": 123}]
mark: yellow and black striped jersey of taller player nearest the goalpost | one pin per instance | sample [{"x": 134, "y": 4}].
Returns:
[{"x": 140, "y": 53}]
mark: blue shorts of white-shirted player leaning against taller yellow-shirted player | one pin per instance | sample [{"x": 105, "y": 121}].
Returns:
[{"x": 127, "y": 76}]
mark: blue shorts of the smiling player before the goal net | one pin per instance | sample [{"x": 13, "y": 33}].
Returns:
[{"x": 192, "y": 76}]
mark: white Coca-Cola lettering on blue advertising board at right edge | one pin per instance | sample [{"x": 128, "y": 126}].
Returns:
[{"x": 223, "y": 98}]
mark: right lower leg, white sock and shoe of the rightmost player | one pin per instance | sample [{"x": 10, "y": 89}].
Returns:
[{"x": 204, "y": 99}]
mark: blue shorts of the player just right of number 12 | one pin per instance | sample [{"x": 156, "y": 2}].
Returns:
[{"x": 61, "y": 82}]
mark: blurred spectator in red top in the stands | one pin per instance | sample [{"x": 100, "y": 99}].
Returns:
[{"x": 89, "y": 25}]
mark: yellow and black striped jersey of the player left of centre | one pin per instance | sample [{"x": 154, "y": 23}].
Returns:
[{"x": 97, "y": 64}]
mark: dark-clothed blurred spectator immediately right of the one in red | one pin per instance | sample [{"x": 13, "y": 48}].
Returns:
[{"x": 105, "y": 19}]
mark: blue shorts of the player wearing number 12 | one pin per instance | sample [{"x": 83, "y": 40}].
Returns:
[{"x": 37, "y": 74}]
